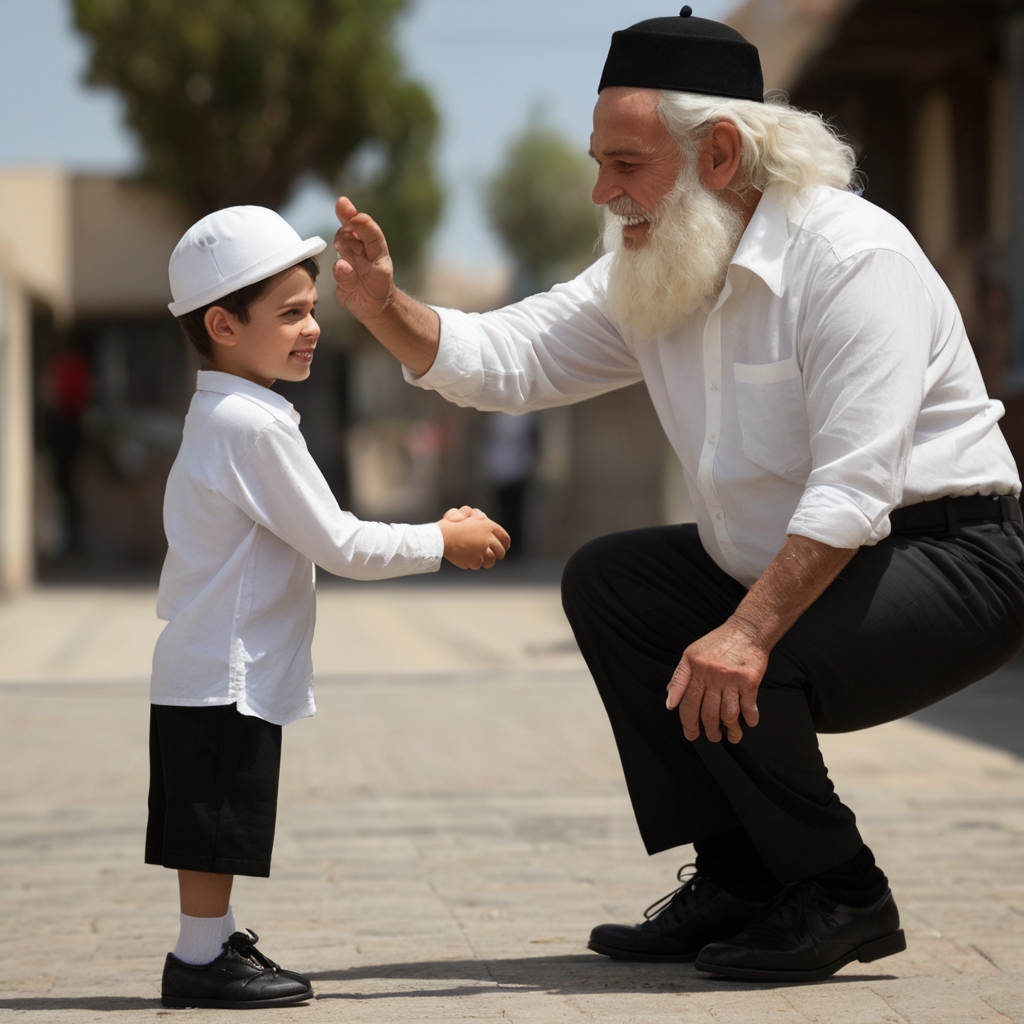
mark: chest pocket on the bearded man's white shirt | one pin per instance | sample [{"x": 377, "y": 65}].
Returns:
[{"x": 774, "y": 418}]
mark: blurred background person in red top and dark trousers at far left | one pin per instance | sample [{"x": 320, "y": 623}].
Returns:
[{"x": 66, "y": 389}]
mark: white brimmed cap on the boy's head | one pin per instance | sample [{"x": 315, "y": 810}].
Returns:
[{"x": 230, "y": 249}]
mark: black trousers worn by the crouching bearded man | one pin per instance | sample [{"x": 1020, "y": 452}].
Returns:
[{"x": 908, "y": 623}]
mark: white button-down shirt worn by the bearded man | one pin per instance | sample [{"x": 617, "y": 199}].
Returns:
[{"x": 830, "y": 382}]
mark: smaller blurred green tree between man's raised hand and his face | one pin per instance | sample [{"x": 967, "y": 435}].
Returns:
[{"x": 540, "y": 205}]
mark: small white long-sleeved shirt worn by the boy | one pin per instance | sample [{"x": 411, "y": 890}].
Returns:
[{"x": 247, "y": 516}]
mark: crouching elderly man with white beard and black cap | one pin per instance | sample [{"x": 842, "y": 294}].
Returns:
[{"x": 859, "y": 548}]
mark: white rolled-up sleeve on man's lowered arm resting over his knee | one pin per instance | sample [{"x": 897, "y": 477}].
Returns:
[{"x": 866, "y": 352}]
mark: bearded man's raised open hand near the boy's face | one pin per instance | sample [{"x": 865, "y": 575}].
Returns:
[{"x": 363, "y": 273}]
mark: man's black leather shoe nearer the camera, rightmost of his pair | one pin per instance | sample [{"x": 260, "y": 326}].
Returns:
[{"x": 806, "y": 936}]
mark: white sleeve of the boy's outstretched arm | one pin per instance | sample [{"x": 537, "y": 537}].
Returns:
[{"x": 280, "y": 487}]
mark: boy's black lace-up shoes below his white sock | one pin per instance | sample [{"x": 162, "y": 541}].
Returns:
[{"x": 241, "y": 978}]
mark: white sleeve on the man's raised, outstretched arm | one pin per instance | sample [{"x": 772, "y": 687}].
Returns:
[{"x": 549, "y": 350}]
